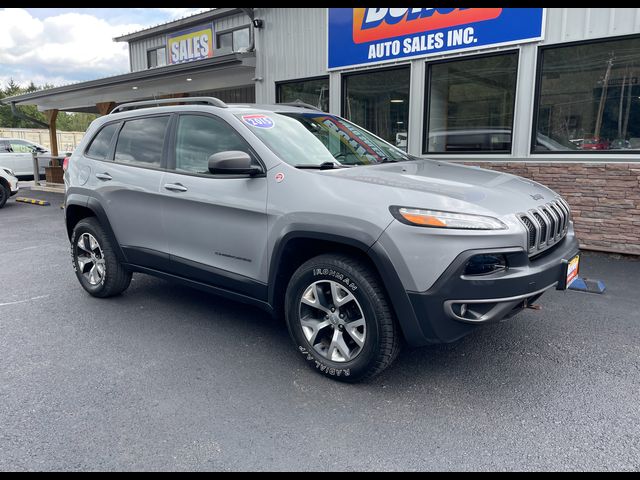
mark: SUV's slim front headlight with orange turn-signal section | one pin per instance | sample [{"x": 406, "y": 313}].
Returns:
[{"x": 439, "y": 219}]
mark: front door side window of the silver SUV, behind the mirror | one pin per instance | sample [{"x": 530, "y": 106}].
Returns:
[{"x": 199, "y": 137}]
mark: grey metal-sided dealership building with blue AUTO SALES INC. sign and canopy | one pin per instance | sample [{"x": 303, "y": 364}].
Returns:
[{"x": 551, "y": 94}]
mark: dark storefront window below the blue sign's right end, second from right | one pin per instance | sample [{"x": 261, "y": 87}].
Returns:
[{"x": 470, "y": 104}]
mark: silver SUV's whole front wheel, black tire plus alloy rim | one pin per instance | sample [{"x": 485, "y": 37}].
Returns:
[{"x": 339, "y": 316}]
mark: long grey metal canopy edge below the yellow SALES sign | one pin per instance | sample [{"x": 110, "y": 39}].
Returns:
[{"x": 226, "y": 71}]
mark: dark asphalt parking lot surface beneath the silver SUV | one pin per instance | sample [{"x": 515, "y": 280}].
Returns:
[{"x": 169, "y": 378}]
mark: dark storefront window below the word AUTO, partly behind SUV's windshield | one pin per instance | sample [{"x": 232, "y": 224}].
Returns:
[{"x": 379, "y": 102}]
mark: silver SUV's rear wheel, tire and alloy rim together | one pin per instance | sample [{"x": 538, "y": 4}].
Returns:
[{"x": 95, "y": 261}]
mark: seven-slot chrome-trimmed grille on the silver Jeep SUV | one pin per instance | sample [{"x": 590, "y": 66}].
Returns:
[{"x": 546, "y": 225}]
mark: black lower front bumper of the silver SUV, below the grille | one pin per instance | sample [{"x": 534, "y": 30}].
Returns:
[{"x": 457, "y": 304}]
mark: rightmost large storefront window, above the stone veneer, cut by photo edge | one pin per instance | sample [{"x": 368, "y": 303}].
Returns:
[{"x": 589, "y": 98}]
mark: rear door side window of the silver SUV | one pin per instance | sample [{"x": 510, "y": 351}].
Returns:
[{"x": 141, "y": 140}]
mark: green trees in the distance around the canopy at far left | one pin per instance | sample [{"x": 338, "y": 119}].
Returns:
[{"x": 67, "y": 122}]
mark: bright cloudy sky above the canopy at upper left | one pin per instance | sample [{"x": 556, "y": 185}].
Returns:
[{"x": 66, "y": 45}]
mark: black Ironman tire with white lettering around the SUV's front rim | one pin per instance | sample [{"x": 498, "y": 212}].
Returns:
[{"x": 382, "y": 339}]
